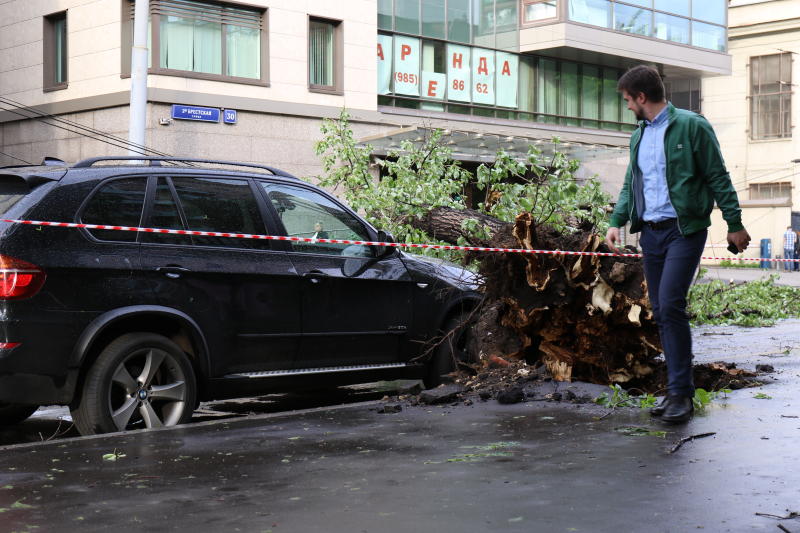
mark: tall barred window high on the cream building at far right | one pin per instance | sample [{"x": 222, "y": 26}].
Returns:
[{"x": 771, "y": 96}]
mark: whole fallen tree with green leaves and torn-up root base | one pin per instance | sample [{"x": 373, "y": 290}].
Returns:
[{"x": 583, "y": 317}]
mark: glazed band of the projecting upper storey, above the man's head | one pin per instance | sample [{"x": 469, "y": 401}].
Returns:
[{"x": 700, "y": 23}]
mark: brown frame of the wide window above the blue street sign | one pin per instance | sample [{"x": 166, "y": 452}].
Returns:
[{"x": 154, "y": 38}]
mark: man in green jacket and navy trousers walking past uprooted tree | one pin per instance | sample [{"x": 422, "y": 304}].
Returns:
[{"x": 674, "y": 176}]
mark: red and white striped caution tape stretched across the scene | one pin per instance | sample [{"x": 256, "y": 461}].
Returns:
[{"x": 347, "y": 241}]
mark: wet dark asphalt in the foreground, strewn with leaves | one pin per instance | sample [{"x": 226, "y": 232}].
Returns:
[{"x": 532, "y": 467}]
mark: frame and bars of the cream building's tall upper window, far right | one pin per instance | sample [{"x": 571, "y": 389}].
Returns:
[{"x": 759, "y": 95}]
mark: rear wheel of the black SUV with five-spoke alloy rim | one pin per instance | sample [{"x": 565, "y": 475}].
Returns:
[{"x": 140, "y": 380}]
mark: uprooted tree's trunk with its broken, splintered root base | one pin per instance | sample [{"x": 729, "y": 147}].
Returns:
[{"x": 584, "y": 317}]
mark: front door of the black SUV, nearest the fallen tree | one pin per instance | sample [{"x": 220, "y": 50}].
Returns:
[{"x": 356, "y": 307}]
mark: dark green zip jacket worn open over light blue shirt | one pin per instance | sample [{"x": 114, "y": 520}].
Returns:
[{"x": 696, "y": 177}]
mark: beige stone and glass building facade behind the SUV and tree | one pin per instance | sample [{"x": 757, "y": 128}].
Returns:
[{"x": 490, "y": 73}]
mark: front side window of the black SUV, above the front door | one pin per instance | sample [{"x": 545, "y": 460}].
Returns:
[{"x": 306, "y": 213}]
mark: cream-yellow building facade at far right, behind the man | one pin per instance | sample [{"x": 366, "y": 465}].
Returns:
[{"x": 754, "y": 112}]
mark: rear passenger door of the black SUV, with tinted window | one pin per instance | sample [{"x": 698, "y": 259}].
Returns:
[{"x": 244, "y": 293}]
